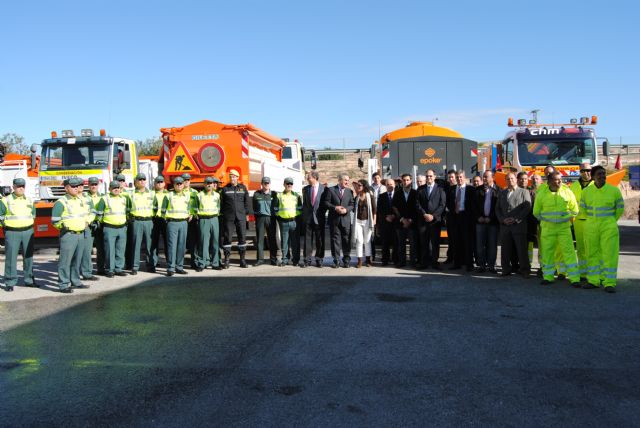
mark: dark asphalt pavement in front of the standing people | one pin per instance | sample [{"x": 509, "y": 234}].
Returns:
[{"x": 287, "y": 346}]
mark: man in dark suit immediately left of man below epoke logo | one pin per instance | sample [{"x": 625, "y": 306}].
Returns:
[{"x": 404, "y": 203}]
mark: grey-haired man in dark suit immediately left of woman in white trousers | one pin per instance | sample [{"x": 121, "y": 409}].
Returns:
[{"x": 338, "y": 201}]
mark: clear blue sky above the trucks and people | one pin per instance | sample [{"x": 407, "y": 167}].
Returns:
[{"x": 317, "y": 71}]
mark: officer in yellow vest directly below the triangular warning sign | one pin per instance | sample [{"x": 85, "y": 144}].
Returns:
[{"x": 176, "y": 209}]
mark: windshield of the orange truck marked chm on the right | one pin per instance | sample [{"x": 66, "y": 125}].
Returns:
[{"x": 556, "y": 151}]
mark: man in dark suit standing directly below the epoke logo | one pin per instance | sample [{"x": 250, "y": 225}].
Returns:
[{"x": 430, "y": 205}]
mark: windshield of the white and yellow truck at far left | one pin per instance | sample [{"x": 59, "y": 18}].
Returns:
[{"x": 66, "y": 156}]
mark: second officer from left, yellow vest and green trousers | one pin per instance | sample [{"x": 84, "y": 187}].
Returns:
[{"x": 69, "y": 216}]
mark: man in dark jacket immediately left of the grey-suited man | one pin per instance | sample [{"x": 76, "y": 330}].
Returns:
[{"x": 486, "y": 223}]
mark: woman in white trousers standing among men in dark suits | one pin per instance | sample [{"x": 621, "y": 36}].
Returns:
[{"x": 364, "y": 220}]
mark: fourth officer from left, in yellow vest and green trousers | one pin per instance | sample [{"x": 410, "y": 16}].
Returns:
[{"x": 114, "y": 207}]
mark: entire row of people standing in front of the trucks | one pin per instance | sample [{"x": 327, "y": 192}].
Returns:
[{"x": 394, "y": 215}]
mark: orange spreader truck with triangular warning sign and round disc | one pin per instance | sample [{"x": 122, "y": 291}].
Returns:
[{"x": 209, "y": 148}]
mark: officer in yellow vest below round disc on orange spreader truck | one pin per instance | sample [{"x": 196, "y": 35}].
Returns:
[{"x": 208, "y": 210}]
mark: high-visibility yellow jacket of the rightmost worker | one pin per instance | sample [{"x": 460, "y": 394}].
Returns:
[{"x": 603, "y": 204}]
